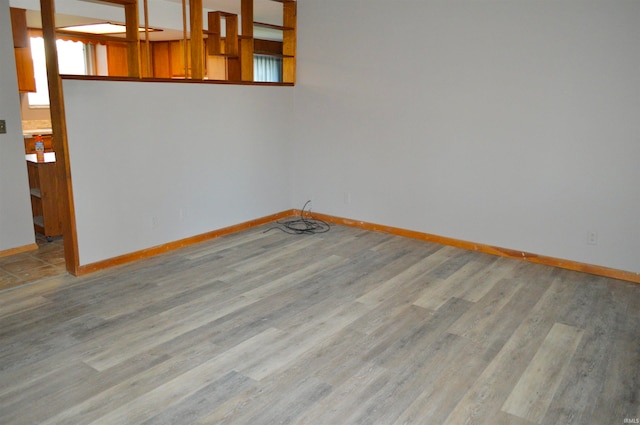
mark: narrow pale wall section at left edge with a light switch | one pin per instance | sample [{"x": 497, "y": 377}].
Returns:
[{"x": 16, "y": 226}]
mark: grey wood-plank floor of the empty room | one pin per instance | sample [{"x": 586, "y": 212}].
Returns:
[{"x": 347, "y": 327}]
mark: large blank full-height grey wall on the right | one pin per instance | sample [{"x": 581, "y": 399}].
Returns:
[{"x": 515, "y": 124}]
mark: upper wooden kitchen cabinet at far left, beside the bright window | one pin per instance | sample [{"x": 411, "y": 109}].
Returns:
[{"x": 22, "y": 51}]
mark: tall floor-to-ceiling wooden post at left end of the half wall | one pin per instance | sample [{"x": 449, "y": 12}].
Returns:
[{"x": 60, "y": 144}]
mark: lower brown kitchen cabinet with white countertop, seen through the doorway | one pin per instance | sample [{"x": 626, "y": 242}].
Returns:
[{"x": 43, "y": 185}]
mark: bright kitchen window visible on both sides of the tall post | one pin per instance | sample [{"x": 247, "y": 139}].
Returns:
[{"x": 72, "y": 59}]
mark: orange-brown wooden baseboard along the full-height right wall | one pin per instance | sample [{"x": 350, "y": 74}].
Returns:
[{"x": 487, "y": 249}]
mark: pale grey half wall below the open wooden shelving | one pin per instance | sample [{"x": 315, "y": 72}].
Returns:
[{"x": 153, "y": 163}]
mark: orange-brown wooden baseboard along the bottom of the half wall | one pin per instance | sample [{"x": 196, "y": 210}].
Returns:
[{"x": 182, "y": 243}]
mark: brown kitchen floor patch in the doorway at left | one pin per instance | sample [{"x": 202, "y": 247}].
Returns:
[{"x": 46, "y": 261}]
